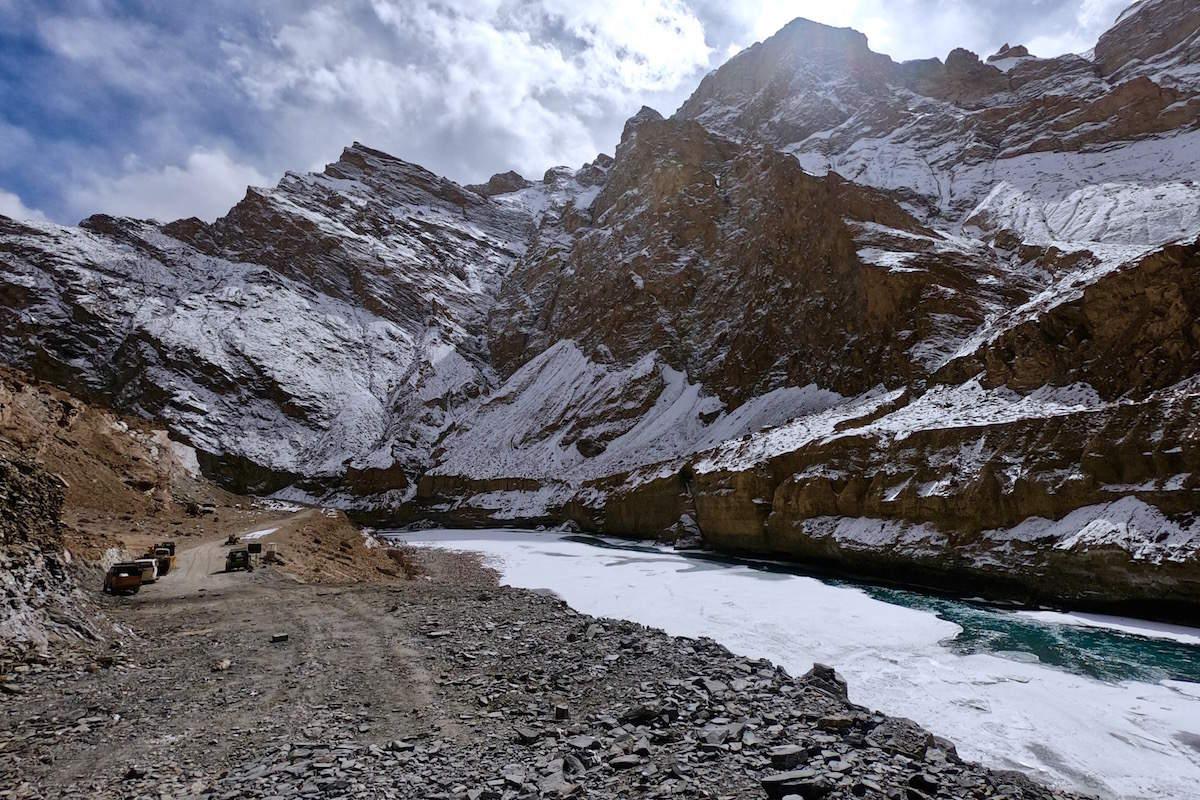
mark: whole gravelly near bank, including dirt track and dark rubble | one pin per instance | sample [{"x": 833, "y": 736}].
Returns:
[{"x": 446, "y": 685}]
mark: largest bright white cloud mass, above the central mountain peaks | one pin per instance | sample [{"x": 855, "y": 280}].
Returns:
[{"x": 482, "y": 87}]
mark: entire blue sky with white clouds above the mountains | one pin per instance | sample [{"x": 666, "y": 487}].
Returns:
[{"x": 160, "y": 109}]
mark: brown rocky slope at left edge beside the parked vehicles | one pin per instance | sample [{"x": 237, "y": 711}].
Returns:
[{"x": 76, "y": 484}]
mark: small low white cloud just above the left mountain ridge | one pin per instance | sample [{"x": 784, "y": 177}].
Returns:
[{"x": 207, "y": 185}]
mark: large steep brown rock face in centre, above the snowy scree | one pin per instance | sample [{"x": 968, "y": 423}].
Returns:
[{"x": 740, "y": 269}]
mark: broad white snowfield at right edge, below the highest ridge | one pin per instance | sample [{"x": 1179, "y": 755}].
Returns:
[{"x": 1135, "y": 193}]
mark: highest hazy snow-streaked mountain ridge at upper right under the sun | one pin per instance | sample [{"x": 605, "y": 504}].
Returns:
[{"x": 1067, "y": 148}]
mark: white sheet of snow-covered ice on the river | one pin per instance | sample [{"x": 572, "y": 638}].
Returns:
[{"x": 1112, "y": 739}]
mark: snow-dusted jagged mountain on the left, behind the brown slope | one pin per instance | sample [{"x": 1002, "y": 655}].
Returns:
[{"x": 329, "y": 323}]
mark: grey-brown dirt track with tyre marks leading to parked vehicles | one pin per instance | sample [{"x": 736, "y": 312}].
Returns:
[{"x": 165, "y": 707}]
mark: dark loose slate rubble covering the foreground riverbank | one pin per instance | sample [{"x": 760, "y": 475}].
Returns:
[{"x": 525, "y": 699}]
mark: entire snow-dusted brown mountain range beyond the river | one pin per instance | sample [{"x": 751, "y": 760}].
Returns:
[{"x": 927, "y": 321}]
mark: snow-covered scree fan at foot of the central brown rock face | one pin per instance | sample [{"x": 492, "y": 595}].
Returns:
[{"x": 643, "y": 414}]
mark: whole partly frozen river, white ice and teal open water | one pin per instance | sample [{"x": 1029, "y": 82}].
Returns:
[{"x": 1106, "y": 706}]
